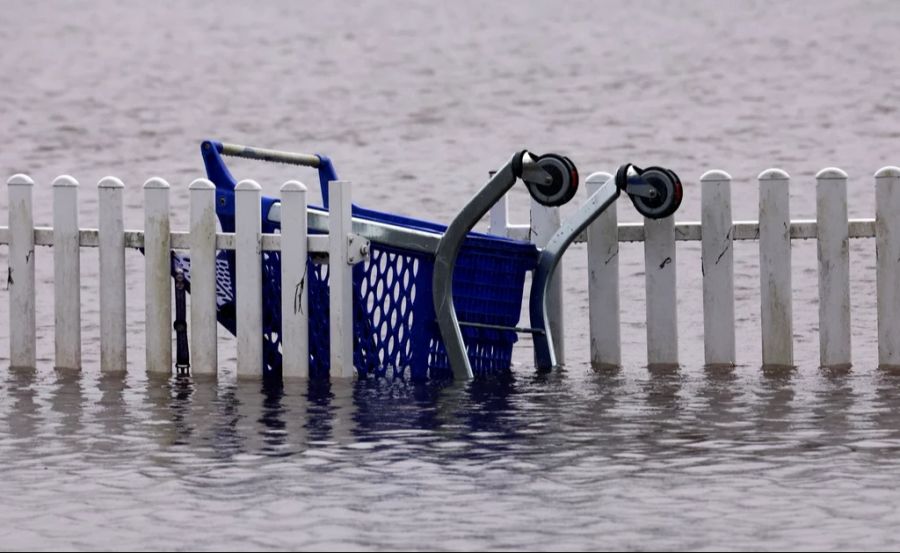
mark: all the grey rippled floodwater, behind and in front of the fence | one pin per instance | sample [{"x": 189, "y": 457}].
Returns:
[{"x": 416, "y": 102}]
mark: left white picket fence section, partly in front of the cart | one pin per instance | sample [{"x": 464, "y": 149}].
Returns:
[{"x": 157, "y": 241}]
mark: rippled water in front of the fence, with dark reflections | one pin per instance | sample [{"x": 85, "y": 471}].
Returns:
[{"x": 612, "y": 456}]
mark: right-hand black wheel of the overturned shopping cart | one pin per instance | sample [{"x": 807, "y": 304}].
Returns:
[{"x": 658, "y": 194}]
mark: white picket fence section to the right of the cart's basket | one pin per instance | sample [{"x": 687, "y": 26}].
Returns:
[{"x": 774, "y": 231}]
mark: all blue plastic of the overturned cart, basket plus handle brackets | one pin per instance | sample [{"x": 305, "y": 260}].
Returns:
[{"x": 395, "y": 331}]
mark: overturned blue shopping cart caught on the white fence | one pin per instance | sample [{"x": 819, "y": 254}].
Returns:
[{"x": 432, "y": 301}]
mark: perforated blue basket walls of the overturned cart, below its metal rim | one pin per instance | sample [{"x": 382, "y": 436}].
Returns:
[{"x": 395, "y": 332}]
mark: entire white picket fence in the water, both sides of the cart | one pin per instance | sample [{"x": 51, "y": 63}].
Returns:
[{"x": 716, "y": 231}]
